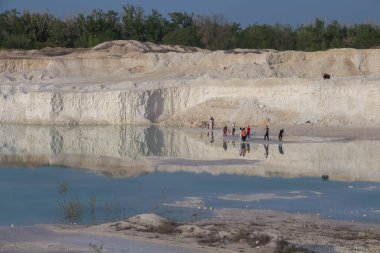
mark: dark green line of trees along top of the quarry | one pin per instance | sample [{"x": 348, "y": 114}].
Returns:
[{"x": 34, "y": 30}]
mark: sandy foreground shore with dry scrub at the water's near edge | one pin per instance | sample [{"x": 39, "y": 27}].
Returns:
[{"x": 232, "y": 230}]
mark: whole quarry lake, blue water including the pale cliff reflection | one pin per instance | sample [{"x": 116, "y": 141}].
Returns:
[{"x": 91, "y": 175}]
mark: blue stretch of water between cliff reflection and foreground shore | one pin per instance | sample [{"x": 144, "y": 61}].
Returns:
[{"x": 32, "y": 196}]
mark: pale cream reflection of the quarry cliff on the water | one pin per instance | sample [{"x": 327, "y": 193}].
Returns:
[{"x": 124, "y": 151}]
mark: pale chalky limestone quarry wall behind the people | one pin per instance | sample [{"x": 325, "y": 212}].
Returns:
[{"x": 128, "y": 82}]
